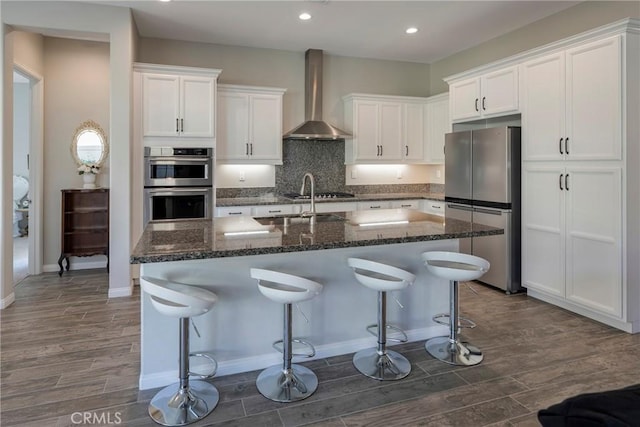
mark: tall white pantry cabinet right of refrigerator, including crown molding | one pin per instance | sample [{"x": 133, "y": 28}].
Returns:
[{"x": 579, "y": 101}]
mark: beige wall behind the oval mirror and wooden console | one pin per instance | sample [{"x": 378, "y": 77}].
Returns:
[{"x": 76, "y": 89}]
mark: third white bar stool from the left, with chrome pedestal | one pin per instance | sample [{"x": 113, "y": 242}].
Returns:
[{"x": 380, "y": 363}]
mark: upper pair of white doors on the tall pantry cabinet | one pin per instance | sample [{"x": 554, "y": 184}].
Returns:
[{"x": 571, "y": 103}]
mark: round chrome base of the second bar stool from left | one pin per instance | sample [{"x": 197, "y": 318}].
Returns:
[{"x": 287, "y": 385}]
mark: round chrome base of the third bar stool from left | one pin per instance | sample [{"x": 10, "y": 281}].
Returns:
[{"x": 386, "y": 366}]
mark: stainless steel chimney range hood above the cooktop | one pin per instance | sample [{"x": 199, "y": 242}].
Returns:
[{"x": 314, "y": 127}]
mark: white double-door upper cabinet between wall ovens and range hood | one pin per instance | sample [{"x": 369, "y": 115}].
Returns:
[{"x": 249, "y": 124}]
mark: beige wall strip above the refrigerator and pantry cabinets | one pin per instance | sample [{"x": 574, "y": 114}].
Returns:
[{"x": 580, "y": 18}]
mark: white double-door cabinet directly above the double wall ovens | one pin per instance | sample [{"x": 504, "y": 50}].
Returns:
[{"x": 178, "y": 105}]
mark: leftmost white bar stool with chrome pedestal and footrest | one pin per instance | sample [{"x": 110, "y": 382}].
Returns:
[{"x": 187, "y": 401}]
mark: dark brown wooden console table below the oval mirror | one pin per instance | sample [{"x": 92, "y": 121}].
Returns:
[{"x": 85, "y": 224}]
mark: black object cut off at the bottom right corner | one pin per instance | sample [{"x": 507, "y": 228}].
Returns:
[{"x": 614, "y": 408}]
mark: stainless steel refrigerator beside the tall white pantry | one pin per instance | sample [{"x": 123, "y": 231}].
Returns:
[{"x": 482, "y": 185}]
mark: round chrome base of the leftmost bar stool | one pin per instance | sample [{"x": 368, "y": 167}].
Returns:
[{"x": 173, "y": 406}]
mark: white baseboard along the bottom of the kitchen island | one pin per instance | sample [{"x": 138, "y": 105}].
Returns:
[{"x": 161, "y": 379}]
